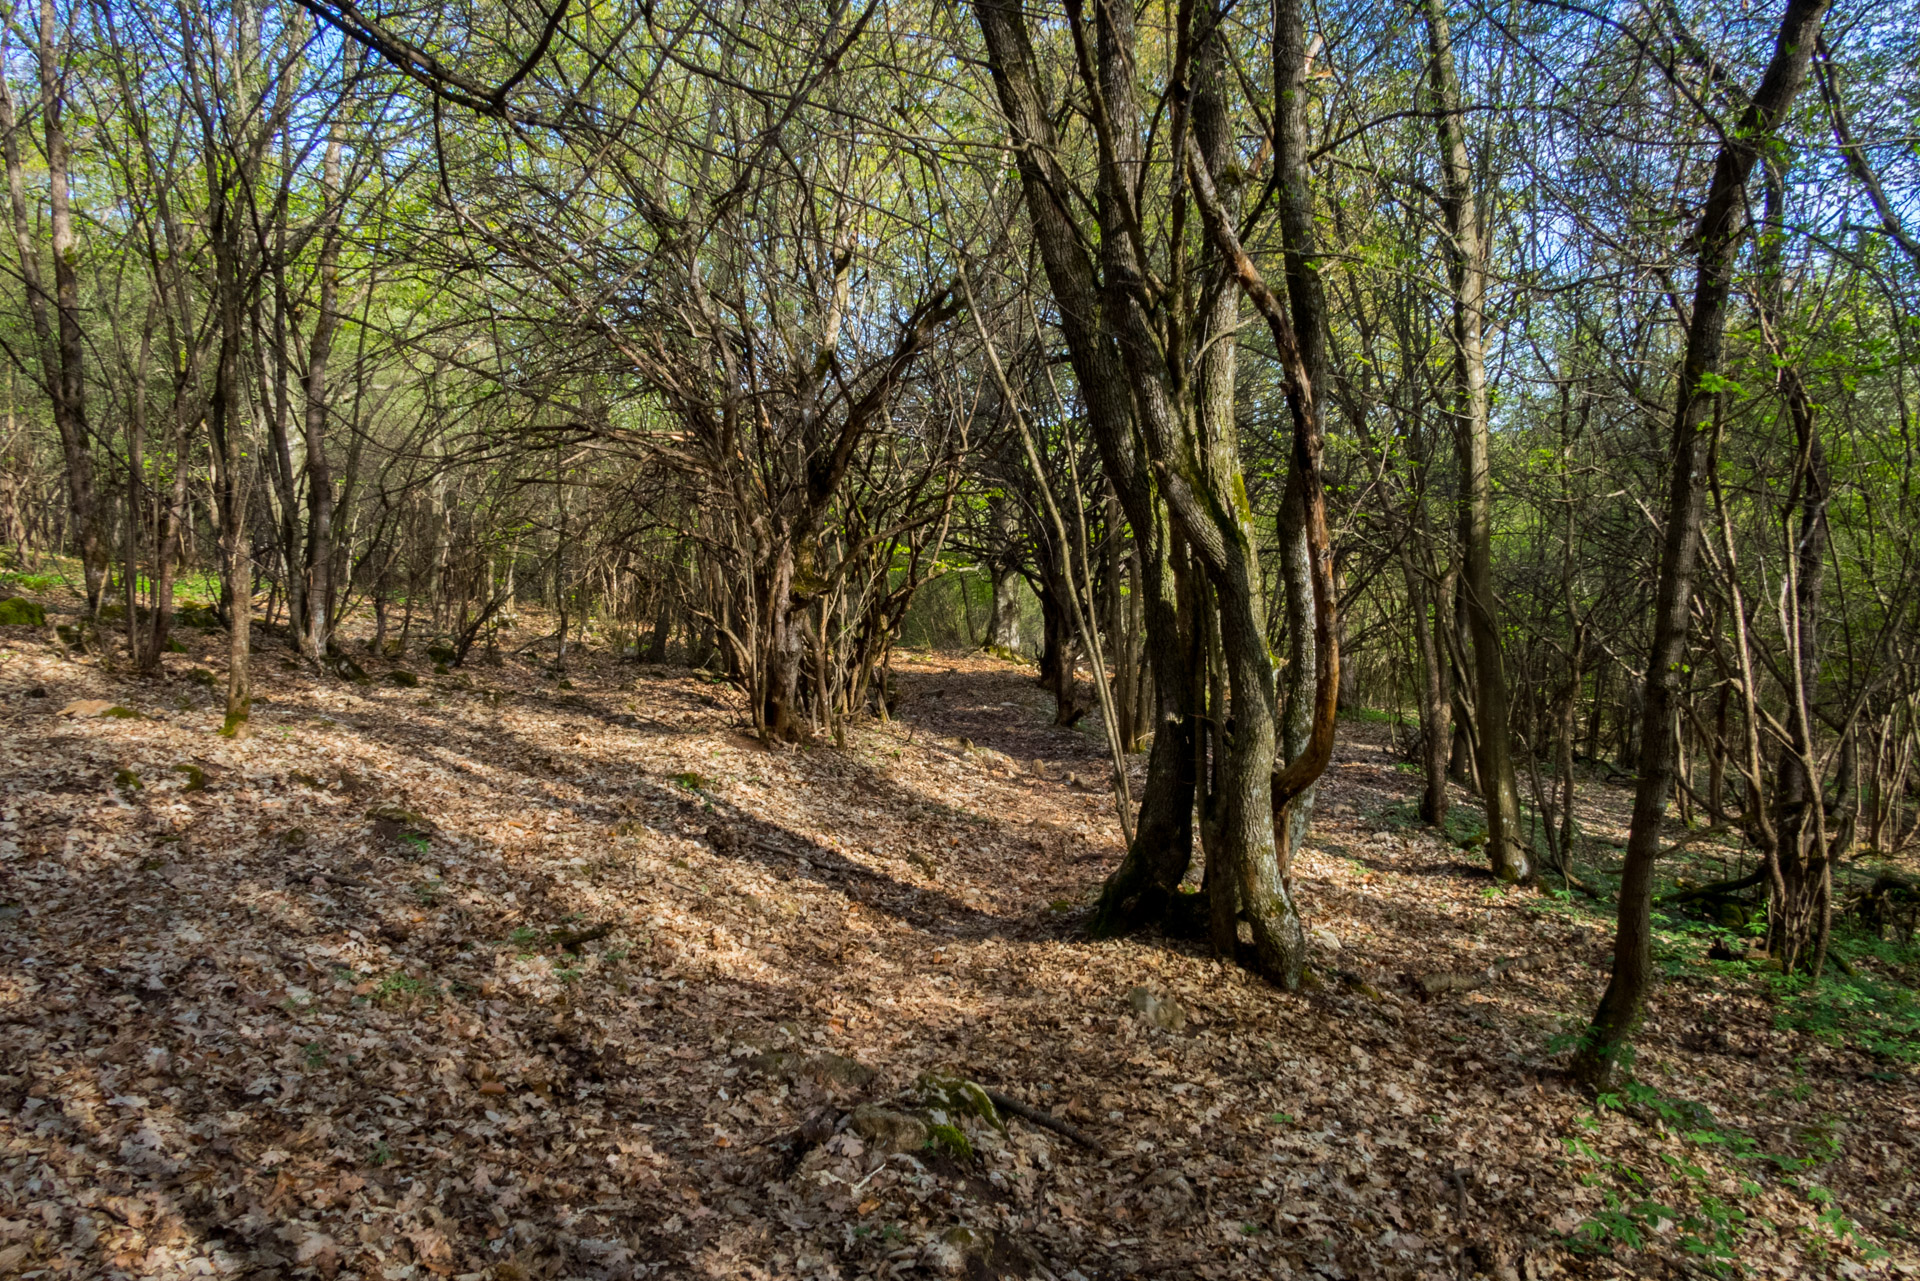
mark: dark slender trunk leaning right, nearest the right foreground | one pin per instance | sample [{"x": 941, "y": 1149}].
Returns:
[{"x": 1717, "y": 239}]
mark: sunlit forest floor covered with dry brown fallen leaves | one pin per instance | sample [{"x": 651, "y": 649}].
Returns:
[{"x": 316, "y": 1003}]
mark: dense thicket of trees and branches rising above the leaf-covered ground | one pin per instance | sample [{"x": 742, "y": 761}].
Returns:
[{"x": 1537, "y": 372}]
